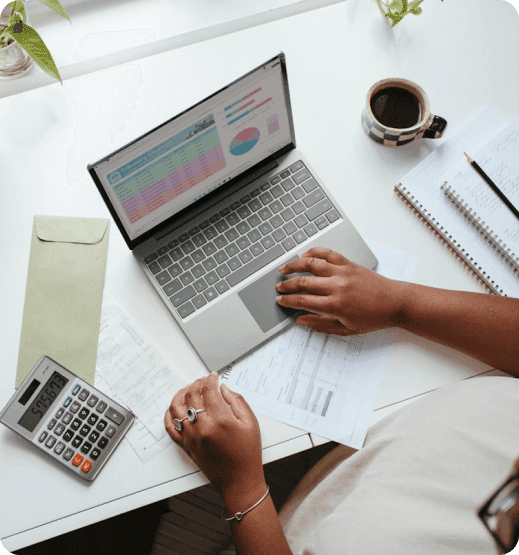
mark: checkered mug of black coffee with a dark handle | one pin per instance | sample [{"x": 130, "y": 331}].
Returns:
[{"x": 397, "y": 112}]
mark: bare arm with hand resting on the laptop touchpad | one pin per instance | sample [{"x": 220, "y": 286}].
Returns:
[{"x": 355, "y": 300}]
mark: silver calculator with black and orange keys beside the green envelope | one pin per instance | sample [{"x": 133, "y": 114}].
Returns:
[{"x": 67, "y": 418}]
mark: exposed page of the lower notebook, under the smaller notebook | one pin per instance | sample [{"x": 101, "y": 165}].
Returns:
[{"x": 423, "y": 184}]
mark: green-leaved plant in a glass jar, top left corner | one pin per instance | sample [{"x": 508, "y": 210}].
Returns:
[{"x": 20, "y": 44}]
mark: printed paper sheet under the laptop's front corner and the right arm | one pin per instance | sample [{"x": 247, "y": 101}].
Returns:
[{"x": 320, "y": 383}]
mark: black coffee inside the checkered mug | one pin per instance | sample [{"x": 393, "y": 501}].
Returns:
[{"x": 396, "y": 107}]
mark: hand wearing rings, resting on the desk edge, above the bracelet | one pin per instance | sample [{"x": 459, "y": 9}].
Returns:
[{"x": 225, "y": 444}]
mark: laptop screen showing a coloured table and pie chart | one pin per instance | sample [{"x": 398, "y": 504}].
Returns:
[{"x": 176, "y": 164}]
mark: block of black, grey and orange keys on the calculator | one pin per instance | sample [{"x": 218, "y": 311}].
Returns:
[{"x": 81, "y": 430}]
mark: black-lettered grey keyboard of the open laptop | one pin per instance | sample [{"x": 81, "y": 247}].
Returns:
[{"x": 234, "y": 243}]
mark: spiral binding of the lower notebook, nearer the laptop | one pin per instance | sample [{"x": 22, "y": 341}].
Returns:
[{"x": 442, "y": 233}]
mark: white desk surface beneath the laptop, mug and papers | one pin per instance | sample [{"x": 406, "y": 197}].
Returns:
[{"x": 333, "y": 56}]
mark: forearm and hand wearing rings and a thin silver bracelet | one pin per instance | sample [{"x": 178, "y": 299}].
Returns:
[{"x": 226, "y": 445}]
